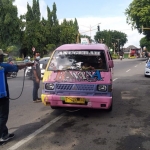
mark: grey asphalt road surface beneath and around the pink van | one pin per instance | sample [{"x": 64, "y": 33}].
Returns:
[{"x": 127, "y": 127}]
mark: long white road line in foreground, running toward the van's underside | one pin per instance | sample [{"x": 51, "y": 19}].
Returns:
[{"x": 20, "y": 143}]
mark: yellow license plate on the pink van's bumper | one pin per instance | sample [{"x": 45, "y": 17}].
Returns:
[{"x": 75, "y": 100}]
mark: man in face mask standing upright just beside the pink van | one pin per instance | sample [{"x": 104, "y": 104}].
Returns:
[{"x": 36, "y": 77}]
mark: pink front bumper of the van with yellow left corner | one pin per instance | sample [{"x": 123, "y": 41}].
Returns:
[{"x": 96, "y": 102}]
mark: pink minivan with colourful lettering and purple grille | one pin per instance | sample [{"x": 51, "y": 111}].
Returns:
[{"x": 79, "y": 76}]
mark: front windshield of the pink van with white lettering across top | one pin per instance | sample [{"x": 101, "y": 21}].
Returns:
[{"x": 78, "y": 60}]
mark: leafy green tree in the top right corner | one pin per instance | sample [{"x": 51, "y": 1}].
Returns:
[{"x": 138, "y": 15}]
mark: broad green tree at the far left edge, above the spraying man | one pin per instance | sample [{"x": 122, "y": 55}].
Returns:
[{"x": 9, "y": 24}]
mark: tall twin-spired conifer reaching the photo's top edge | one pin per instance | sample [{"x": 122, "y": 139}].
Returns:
[{"x": 33, "y": 31}]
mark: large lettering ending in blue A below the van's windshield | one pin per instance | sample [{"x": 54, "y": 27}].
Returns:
[{"x": 68, "y": 76}]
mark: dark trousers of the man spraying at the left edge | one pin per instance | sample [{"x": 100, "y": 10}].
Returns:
[{"x": 4, "y": 112}]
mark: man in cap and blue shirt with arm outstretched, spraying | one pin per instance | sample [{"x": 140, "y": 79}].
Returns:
[{"x": 4, "y": 101}]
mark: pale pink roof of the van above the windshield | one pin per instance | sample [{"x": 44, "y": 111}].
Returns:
[{"x": 82, "y": 47}]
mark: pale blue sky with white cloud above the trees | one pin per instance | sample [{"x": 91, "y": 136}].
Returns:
[{"x": 110, "y": 15}]
